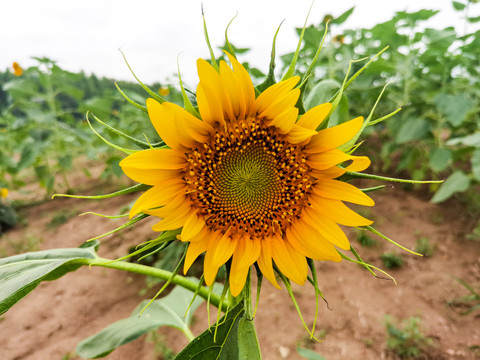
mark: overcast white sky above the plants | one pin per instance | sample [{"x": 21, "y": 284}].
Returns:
[{"x": 85, "y": 35}]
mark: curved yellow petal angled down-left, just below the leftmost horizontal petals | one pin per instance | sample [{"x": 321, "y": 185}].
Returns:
[{"x": 158, "y": 196}]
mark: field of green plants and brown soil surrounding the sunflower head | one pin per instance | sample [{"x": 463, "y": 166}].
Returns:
[{"x": 66, "y": 133}]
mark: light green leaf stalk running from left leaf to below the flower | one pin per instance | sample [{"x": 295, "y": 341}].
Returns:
[{"x": 159, "y": 274}]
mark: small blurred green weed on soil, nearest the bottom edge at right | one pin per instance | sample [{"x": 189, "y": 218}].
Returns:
[{"x": 407, "y": 341}]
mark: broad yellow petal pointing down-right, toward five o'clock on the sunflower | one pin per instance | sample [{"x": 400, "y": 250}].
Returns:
[{"x": 289, "y": 261}]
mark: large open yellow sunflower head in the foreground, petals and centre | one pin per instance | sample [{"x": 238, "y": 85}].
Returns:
[{"x": 251, "y": 181}]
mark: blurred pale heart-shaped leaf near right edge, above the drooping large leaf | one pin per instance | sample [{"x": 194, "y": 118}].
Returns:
[{"x": 454, "y": 107}]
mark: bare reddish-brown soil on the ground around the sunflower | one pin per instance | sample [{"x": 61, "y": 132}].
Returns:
[{"x": 49, "y": 322}]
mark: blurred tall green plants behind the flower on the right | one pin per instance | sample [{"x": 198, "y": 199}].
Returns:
[{"x": 432, "y": 73}]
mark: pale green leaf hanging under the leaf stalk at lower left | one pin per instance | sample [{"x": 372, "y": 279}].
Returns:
[{"x": 167, "y": 311}]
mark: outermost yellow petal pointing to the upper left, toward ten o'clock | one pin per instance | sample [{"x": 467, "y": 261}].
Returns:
[{"x": 164, "y": 123}]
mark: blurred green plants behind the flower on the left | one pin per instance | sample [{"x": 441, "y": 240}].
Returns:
[{"x": 43, "y": 128}]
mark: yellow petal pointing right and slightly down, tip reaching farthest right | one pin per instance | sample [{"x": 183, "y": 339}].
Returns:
[{"x": 339, "y": 190}]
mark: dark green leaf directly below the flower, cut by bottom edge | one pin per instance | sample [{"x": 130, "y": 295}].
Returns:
[{"x": 233, "y": 339}]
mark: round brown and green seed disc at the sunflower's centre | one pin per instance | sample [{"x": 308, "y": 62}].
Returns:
[{"x": 249, "y": 179}]
